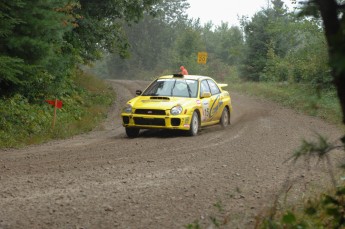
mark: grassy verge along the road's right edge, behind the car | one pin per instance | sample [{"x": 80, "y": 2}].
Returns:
[{"x": 300, "y": 97}]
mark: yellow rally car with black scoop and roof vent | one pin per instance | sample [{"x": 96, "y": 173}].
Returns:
[{"x": 183, "y": 102}]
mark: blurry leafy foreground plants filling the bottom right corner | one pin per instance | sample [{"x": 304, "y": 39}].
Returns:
[{"x": 325, "y": 210}]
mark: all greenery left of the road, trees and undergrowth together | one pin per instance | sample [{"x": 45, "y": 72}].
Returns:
[{"x": 42, "y": 45}]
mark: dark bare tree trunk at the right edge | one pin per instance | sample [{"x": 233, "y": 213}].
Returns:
[{"x": 336, "y": 46}]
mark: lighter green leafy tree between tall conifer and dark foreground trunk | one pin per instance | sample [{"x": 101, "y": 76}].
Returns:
[{"x": 301, "y": 61}]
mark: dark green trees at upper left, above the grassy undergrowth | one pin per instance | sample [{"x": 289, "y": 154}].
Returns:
[{"x": 41, "y": 42}]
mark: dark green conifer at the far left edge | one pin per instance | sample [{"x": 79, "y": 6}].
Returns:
[{"x": 31, "y": 46}]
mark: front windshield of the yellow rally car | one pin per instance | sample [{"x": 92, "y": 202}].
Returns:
[{"x": 173, "y": 87}]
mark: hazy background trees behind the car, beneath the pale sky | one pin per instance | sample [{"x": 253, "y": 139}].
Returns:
[{"x": 273, "y": 46}]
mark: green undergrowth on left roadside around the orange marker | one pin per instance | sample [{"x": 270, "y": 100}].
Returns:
[{"x": 84, "y": 107}]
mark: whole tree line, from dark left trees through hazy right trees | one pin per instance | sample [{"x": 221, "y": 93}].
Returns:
[{"x": 142, "y": 39}]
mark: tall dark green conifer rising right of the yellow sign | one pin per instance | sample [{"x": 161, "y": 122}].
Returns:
[{"x": 265, "y": 31}]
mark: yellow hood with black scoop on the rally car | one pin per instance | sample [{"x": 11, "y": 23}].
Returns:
[{"x": 159, "y": 102}]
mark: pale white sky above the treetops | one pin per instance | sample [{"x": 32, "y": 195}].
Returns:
[{"x": 225, "y": 10}]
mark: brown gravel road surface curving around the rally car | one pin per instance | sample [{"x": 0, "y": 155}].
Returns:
[{"x": 162, "y": 179}]
